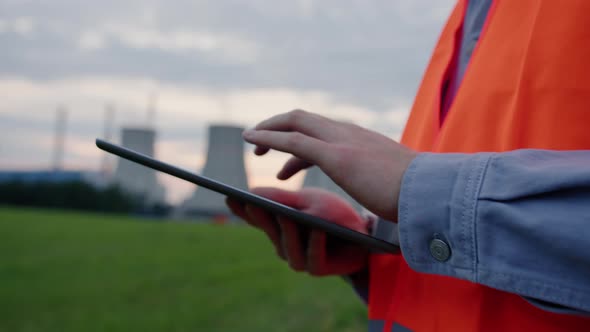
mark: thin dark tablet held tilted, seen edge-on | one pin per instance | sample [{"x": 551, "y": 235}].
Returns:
[{"x": 247, "y": 197}]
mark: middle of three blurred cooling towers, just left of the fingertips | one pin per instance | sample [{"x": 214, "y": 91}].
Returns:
[{"x": 225, "y": 162}]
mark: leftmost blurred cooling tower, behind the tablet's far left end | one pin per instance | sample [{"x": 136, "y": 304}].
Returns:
[{"x": 134, "y": 178}]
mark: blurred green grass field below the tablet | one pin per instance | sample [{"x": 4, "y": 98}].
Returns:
[{"x": 65, "y": 271}]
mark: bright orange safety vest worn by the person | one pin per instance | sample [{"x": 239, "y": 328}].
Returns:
[{"x": 527, "y": 86}]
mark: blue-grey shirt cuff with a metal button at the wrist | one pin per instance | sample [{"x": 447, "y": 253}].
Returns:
[{"x": 437, "y": 189}]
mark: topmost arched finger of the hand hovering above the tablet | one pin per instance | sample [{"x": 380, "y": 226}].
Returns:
[{"x": 307, "y": 123}]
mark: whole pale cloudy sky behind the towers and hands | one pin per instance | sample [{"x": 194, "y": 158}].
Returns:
[{"x": 202, "y": 62}]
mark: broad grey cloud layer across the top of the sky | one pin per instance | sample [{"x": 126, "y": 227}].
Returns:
[{"x": 336, "y": 46}]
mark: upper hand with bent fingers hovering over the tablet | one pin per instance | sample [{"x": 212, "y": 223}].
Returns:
[{"x": 367, "y": 165}]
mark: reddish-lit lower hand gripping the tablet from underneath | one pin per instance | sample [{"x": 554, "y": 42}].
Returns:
[{"x": 309, "y": 250}]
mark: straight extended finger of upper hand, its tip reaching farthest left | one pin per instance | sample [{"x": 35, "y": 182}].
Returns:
[{"x": 298, "y": 144}]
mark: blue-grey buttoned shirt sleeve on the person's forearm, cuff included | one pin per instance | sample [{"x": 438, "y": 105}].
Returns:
[{"x": 516, "y": 221}]
